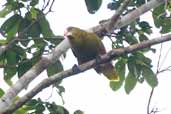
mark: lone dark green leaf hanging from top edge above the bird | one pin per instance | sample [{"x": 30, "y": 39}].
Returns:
[{"x": 93, "y": 5}]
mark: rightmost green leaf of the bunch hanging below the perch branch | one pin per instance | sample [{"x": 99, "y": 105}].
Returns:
[{"x": 150, "y": 77}]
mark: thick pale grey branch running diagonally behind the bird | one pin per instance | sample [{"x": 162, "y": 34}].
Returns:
[{"x": 23, "y": 82}]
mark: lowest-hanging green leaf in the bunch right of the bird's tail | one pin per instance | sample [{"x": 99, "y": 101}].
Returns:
[{"x": 130, "y": 83}]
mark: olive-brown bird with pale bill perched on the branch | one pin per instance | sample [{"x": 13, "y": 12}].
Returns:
[{"x": 87, "y": 46}]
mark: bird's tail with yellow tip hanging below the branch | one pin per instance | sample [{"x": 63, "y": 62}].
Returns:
[{"x": 109, "y": 71}]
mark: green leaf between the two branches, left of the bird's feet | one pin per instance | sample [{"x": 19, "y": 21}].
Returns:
[{"x": 54, "y": 68}]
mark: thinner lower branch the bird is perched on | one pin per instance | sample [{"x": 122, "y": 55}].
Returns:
[{"x": 105, "y": 58}]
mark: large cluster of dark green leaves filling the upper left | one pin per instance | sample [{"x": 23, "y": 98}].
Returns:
[{"x": 31, "y": 34}]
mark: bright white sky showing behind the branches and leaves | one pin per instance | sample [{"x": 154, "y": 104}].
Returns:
[{"x": 90, "y": 92}]
